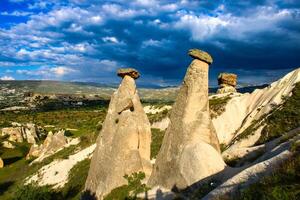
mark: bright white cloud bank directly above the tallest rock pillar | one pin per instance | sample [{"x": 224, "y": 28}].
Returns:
[{"x": 226, "y": 25}]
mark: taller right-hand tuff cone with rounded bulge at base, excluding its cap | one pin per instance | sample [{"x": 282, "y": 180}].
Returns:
[{"x": 190, "y": 149}]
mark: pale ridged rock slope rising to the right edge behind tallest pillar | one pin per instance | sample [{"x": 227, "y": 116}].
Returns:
[{"x": 242, "y": 109}]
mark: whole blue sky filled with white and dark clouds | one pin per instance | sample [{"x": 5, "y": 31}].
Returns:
[{"x": 81, "y": 40}]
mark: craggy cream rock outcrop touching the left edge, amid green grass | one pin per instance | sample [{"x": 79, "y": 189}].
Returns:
[{"x": 22, "y": 132}]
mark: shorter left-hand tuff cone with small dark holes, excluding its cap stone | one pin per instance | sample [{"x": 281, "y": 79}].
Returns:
[{"x": 123, "y": 146}]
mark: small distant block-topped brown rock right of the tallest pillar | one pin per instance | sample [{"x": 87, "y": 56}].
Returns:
[{"x": 227, "y": 83}]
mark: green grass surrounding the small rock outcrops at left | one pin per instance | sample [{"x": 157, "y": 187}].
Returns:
[{"x": 17, "y": 168}]
